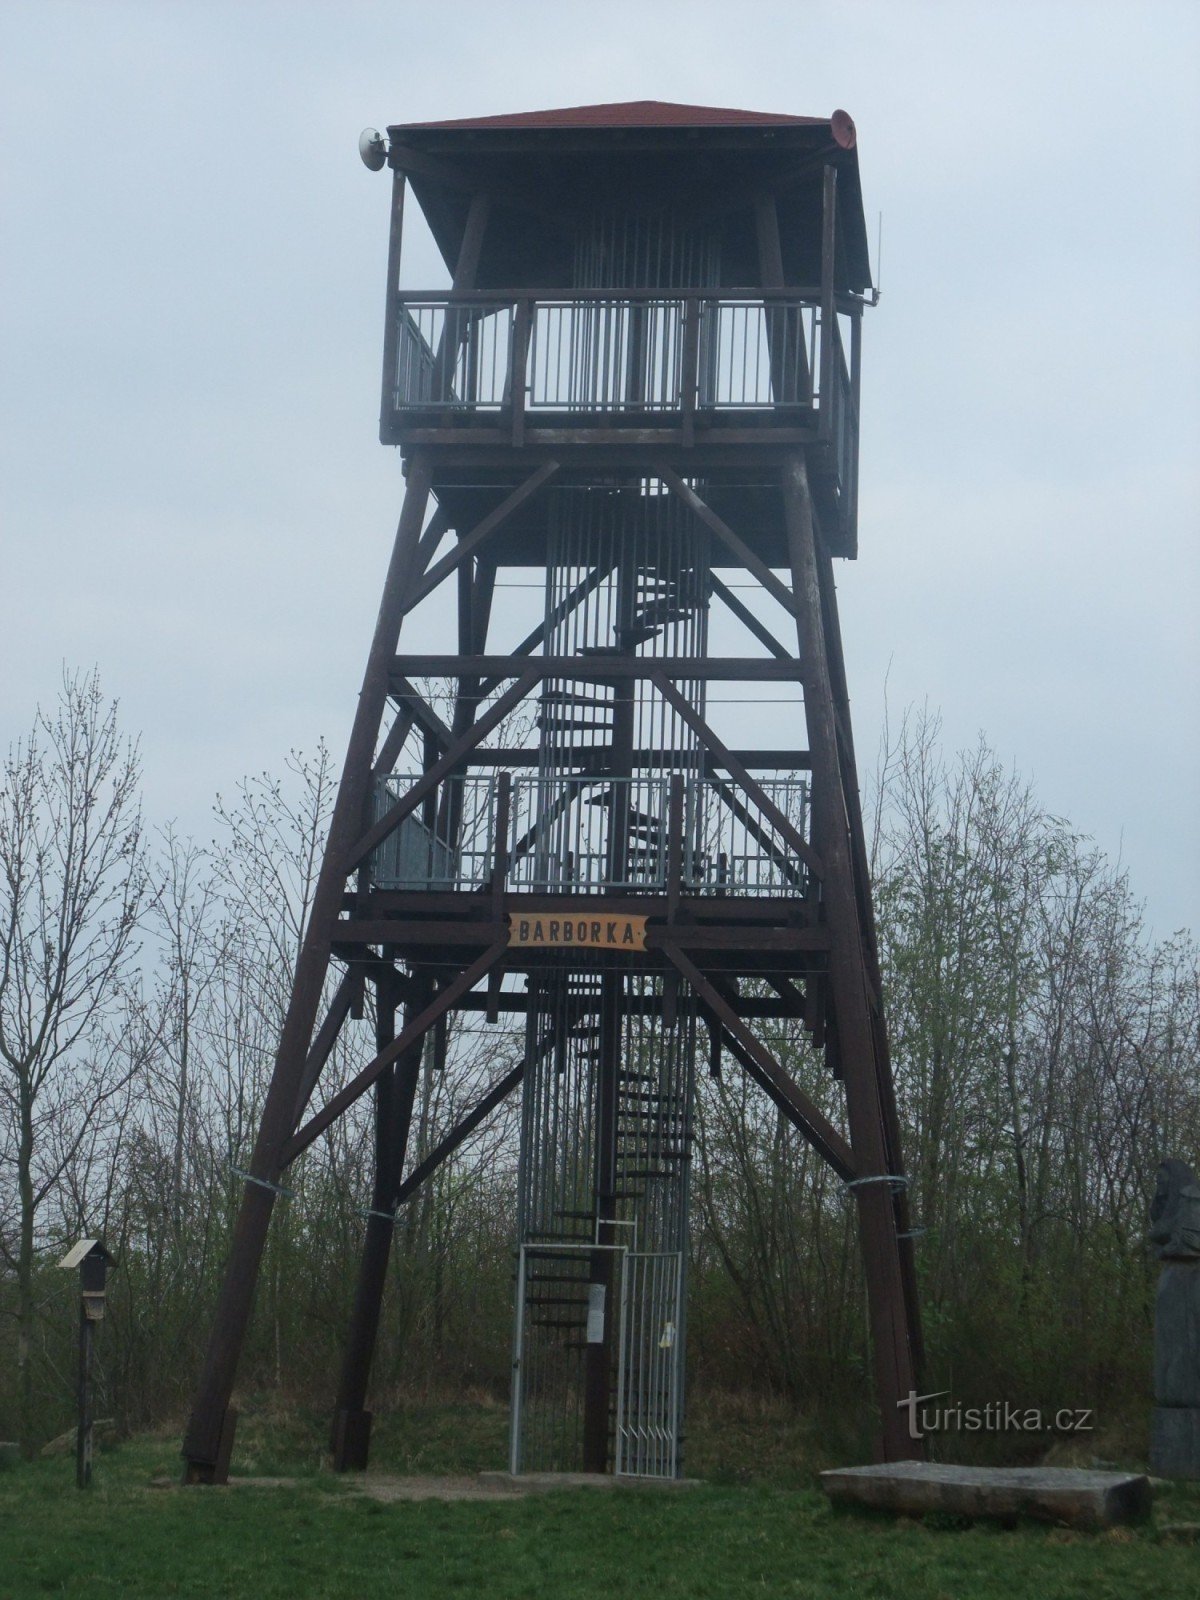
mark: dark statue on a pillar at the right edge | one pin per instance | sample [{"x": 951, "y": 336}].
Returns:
[{"x": 1175, "y": 1230}]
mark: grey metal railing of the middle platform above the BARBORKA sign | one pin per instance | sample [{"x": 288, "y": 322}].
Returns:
[{"x": 593, "y": 836}]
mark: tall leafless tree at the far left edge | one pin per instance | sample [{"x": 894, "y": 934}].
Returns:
[{"x": 73, "y": 890}]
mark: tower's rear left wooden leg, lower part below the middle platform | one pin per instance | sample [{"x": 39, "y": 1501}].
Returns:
[{"x": 396, "y": 1092}]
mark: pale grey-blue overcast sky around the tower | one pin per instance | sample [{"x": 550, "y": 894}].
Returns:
[{"x": 196, "y": 500}]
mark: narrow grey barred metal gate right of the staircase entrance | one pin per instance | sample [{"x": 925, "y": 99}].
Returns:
[{"x": 649, "y": 1386}]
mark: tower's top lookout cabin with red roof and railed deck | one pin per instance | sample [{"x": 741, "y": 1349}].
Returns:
[{"x": 634, "y": 287}]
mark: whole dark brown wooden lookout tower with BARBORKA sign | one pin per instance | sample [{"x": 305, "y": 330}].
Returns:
[{"x": 638, "y": 833}]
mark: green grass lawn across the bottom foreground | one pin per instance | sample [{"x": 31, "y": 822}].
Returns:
[{"x": 318, "y": 1538}]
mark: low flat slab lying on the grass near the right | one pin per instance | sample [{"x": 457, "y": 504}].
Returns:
[{"x": 1065, "y": 1495}]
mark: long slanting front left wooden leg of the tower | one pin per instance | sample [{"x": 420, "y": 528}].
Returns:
[{"x": 207, "y": 1426}]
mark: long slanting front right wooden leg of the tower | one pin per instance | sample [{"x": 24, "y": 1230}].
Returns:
[{"x": 887, "y": 1292}]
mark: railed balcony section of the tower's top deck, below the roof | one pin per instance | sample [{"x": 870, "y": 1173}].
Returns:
[{"x": 633, "y": 370}]
